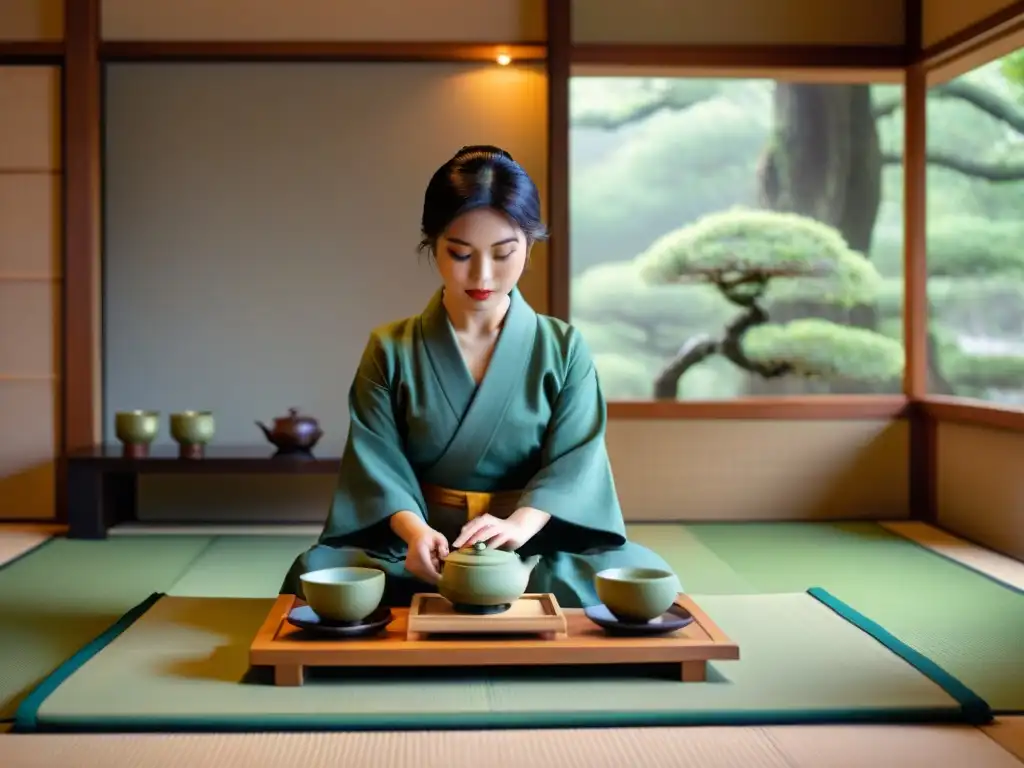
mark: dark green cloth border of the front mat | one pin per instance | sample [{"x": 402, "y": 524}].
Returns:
[{"x": 973, "y": 710}]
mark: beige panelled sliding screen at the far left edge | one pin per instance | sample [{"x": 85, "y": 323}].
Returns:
[{"x": 30, "y": 289}]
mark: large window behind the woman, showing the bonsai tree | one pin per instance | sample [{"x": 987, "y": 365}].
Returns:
[{"x": 736, "y": 238}]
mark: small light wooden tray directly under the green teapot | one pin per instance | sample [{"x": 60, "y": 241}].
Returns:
[{"x": 433, "y": 615}]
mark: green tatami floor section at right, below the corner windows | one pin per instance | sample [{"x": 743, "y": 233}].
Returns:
[{"x": 899, "y": 584}]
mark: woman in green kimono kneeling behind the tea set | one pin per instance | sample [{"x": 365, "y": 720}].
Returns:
[{"x": 479, "y": 419}]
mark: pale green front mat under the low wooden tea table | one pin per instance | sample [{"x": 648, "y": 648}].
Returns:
[{"x": 178, "y": 668}]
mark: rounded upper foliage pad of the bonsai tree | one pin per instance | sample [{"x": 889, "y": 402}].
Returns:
[{"x": 740, "y": 243}]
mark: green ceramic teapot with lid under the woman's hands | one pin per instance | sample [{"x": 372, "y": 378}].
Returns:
[{"x": 479, "y": 580}]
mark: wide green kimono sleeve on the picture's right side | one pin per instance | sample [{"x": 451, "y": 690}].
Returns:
[{"x": 575, "y": 485}]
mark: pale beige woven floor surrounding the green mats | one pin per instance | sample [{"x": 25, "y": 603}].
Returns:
[{"x": 794, "y": 747}]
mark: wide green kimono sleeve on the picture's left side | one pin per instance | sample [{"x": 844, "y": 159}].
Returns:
[{"x": 376, "y": 480}]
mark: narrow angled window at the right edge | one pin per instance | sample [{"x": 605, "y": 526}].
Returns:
[{"x": 976, "y": 234}]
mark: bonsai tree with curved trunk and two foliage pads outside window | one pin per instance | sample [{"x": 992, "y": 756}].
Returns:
[{"x": 747, "y": 257}]
